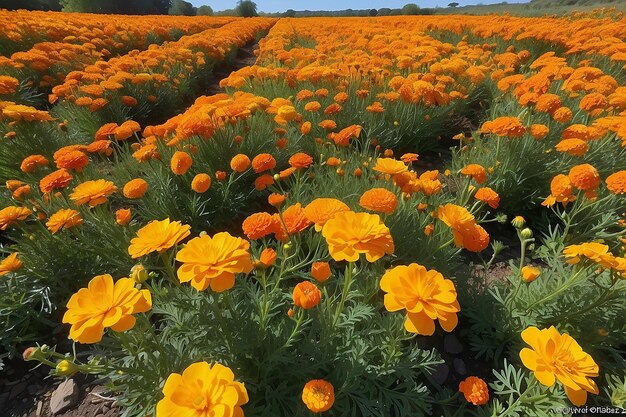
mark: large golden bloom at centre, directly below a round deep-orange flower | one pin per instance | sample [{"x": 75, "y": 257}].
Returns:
[{"x": 350, "y": 234}]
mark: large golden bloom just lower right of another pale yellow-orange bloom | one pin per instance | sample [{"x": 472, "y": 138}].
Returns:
[{"x": 214, "y": 261}]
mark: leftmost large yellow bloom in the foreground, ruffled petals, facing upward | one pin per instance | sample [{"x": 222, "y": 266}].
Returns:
[{"x": 105, "y": 304}]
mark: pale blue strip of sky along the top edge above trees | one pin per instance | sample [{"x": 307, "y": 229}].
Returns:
[{"x": 282, "y": 5}]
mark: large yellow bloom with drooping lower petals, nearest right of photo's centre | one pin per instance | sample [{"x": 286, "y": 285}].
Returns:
[{"x": 425, "y": 295}]
